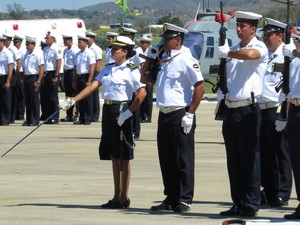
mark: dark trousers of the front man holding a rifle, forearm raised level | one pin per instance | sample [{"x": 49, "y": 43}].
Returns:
[{"x": 241, "y": 129}]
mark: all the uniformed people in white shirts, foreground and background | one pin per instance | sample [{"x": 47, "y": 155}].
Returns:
[{"x": 262, "y": 145}]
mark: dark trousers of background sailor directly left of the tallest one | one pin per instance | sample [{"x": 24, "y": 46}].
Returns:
[{"x": 32, "y": 100}]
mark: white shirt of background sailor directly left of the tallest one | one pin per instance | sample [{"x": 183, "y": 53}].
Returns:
[{"x": 32, "y": 61}]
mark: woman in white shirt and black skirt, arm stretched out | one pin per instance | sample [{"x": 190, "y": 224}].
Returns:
[{"x": 120, "y": 81}]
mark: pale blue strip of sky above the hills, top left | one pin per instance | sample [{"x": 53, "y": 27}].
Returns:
[{"x": 51, "y": 4}]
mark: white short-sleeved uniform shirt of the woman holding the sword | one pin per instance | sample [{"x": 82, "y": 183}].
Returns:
[{"x": 119, "y": 82}]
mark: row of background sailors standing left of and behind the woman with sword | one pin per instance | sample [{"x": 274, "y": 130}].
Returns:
[{"x": 31, "y": 79}]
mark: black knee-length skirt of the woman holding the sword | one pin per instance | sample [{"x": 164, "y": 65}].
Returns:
[{"x": 110, "y": 144}]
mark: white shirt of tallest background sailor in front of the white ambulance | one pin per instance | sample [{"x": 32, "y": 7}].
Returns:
[{"x": 51, "y": 55}]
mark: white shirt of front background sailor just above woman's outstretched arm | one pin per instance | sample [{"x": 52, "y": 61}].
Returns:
[{"x": 84, "y": 60}]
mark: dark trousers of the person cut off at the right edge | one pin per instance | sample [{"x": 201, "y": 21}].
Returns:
[{"x": 293, "y": 136}]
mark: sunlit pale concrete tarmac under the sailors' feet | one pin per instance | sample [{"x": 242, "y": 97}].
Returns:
[{"x": 55, "y": 177}]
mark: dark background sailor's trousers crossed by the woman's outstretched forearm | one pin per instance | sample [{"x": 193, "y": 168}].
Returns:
[{"x": 86, "y": 105}]
